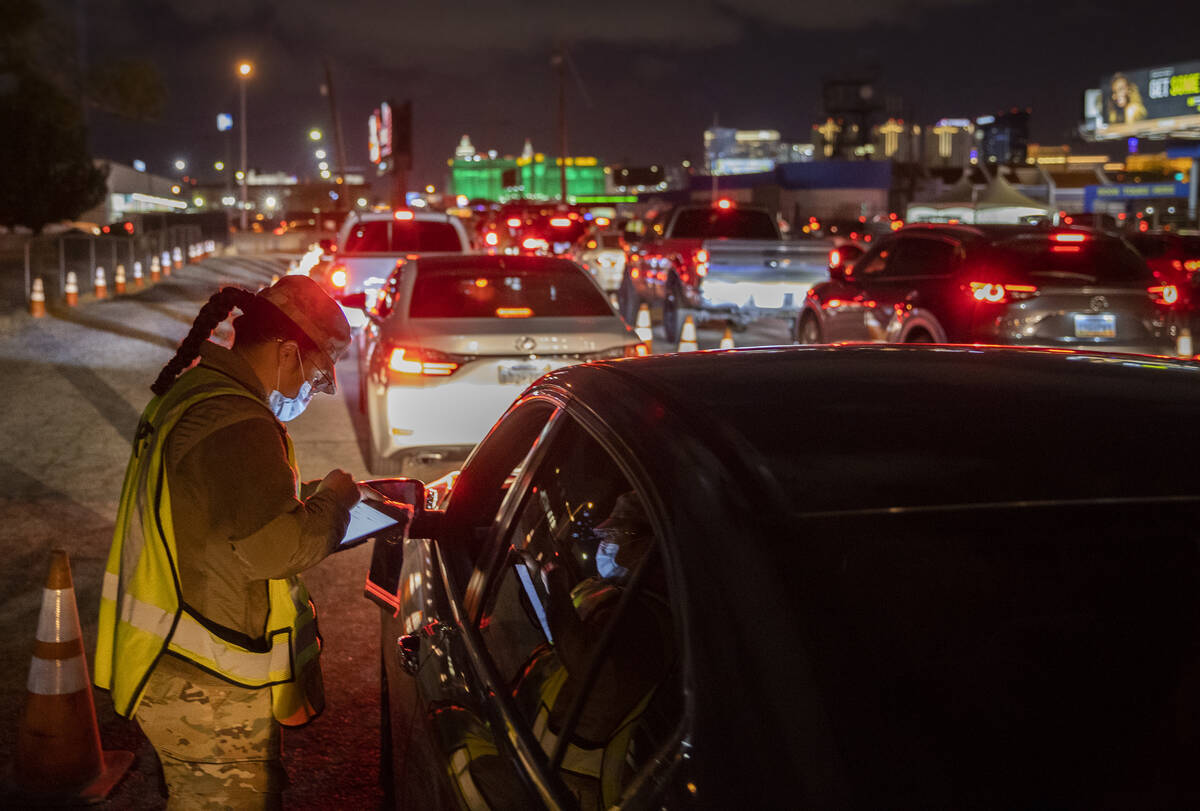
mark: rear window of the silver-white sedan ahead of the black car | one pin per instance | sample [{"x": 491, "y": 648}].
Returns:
[{"x": 500, "y": 293}]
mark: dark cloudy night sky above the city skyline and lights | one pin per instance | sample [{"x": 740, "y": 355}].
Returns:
[{"x": 651, "y": 76}]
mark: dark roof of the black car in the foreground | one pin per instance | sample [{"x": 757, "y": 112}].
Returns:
[{"x": 856, "y": 428}]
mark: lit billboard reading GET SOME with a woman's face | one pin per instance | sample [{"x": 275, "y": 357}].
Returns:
[{"x": 1163, "y": 101}]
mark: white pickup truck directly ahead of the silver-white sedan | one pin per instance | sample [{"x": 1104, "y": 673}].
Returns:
[{"x": 370, "y": 245}]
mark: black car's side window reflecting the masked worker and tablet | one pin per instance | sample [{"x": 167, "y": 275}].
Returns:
[{"x": 579, "y": 621}]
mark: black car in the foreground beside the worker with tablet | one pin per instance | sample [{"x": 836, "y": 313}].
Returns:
[{"x": 794, "y": 578}]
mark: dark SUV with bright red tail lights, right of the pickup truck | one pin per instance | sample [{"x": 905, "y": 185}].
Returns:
[{"x": 1000, "y": 285}]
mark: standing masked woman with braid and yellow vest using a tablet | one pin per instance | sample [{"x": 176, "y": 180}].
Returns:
[{"x": 207, "y": 634}]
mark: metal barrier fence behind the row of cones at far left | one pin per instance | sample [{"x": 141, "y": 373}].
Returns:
[{"x": 52, "y": 257}]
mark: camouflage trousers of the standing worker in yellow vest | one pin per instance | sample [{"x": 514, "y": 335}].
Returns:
[{"x": 219, "y": 744}]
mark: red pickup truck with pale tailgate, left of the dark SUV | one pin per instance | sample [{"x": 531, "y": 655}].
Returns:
[{"x": 724, "y": 261}]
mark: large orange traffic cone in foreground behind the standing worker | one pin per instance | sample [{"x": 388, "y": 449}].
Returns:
[{"x": 59, "y": 758}]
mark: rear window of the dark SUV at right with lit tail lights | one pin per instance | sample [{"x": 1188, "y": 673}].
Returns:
[{"x": 1042, "y": 261}]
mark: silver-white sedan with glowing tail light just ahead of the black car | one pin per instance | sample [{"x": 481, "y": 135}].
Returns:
[{"x": 452, "y": 343}]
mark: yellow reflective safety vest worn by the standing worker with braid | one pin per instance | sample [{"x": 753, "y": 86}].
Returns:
[{"x": 142, "y": 611}]
